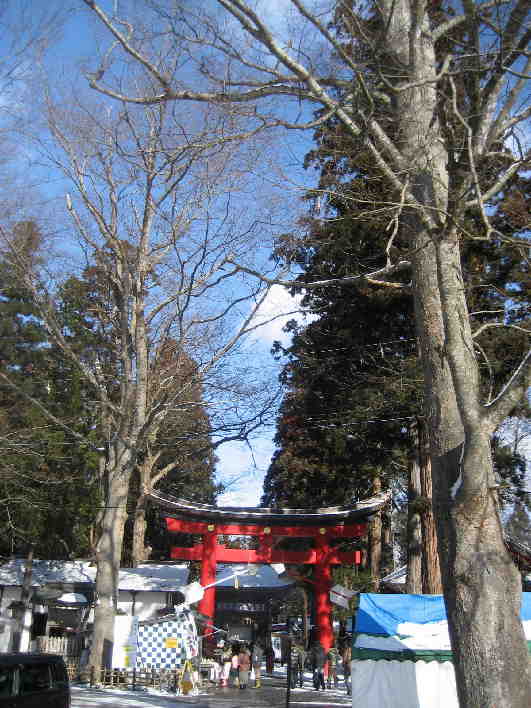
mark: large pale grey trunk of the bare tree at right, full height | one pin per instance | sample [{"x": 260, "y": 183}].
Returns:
[{"x": 481, "y": 585}]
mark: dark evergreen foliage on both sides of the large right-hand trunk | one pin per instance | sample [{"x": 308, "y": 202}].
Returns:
[{"x": 351, "y": 376}]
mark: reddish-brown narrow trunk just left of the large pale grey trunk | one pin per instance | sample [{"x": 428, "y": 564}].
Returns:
[{"x": 431, "y": 569}]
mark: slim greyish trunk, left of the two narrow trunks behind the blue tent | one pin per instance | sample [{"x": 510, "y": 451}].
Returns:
[{"x": 414, "y": 529}]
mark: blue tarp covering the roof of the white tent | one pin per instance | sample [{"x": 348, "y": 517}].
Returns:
[{"x": 382, "y": 614}]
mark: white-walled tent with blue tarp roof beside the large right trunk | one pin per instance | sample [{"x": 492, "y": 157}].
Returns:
[{"x": 401, "y": 654}]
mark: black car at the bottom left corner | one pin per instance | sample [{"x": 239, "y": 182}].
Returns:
[{"x": 33, "y": 681}]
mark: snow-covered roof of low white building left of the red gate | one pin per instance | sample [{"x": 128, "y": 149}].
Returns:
[{"x": 148, "y": 577}]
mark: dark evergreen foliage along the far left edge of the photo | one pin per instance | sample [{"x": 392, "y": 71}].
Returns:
[{"x": 47, "y": 493}]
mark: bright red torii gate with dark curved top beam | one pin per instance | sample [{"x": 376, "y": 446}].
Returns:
[{"x": 270, "y": 527}]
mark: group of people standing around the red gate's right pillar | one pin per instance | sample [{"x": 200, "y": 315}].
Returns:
[{"x": 331, "y": 663}]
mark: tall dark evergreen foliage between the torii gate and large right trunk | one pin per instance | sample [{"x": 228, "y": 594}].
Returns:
[{"x": 351, "y": 374}]
